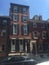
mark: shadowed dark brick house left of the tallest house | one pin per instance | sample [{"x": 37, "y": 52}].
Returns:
[{"x": 4, "y": 34}]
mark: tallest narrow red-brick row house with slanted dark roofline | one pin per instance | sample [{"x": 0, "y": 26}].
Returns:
[{"x": 19, "y": 31}]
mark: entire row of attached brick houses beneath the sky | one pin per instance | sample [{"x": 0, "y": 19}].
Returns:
[{"x": 23, "y": 35}]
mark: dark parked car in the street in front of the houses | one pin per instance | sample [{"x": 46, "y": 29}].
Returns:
[{"x": 18, "y": 60}]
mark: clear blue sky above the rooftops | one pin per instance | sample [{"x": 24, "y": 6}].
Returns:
[{"x": 37, "y": 7}]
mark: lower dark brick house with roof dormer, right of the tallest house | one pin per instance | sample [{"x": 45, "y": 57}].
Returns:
[{"x": 39, "y": 34}]
